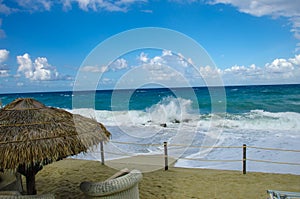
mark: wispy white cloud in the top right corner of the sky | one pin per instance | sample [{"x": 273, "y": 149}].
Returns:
[{"x": 274, "y": 8}]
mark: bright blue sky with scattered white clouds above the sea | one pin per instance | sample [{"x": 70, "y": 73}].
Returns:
[{"x": 43, "y": 43}]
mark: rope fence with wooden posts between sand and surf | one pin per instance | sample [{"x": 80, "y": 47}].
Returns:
[{"x": 166, "y": 146}]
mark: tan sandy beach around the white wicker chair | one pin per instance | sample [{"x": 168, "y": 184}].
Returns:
[{"x": 64, "y": 177}]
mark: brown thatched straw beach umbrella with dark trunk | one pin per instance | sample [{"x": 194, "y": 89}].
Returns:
[{"x": 33, "y": 135}]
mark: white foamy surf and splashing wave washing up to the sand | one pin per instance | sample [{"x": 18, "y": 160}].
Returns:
[{"x": 255, "y": 128}]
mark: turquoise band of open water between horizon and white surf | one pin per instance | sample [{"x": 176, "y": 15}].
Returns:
[{"x": 239, "y": 99}]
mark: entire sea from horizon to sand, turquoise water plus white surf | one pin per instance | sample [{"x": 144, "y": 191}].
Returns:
[{"x": 261, "y": 116}]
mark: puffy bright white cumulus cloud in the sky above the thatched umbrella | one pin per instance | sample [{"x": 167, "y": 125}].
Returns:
[{"x": 39, "y": 70}]
